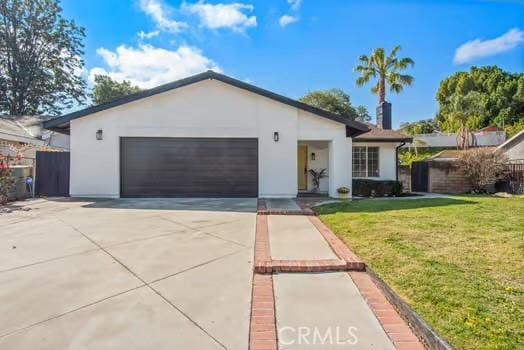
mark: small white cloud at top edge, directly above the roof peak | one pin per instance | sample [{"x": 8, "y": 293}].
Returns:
[{"x": 216, "y": 16}]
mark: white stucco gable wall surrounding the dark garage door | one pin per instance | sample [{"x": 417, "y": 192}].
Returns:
[{"x": 205, "y": 109}]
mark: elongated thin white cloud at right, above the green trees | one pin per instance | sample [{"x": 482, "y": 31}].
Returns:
[{"x": 477, "y": 48}]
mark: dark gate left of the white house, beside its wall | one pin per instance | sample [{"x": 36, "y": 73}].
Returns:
[{"x": 52, "y": 174}]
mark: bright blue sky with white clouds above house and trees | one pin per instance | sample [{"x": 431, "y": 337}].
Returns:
[{"x": 295, "y": 46}]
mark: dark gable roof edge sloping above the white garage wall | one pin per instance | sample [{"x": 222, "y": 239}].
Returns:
[{"x": 62, "y": 123}]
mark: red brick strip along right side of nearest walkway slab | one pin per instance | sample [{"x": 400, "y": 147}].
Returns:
[{"x": 398, "y": 331}]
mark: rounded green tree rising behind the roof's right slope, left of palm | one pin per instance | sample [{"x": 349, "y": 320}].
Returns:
[{"x": 335, "y": 101}]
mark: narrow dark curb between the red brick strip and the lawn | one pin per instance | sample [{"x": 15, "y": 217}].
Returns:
[{"x": 428, "y": 335}]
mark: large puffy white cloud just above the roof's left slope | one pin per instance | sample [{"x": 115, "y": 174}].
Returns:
[{"x": 148, "y": 66}]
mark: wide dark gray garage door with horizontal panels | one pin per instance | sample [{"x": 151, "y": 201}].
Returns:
[{"x": 188, "y": 167}]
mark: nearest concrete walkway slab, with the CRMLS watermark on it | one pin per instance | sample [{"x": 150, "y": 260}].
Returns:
[{"x": 325, "y": 311}]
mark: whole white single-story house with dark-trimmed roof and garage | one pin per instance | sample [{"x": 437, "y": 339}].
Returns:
[{"x": 210, "y": 135}]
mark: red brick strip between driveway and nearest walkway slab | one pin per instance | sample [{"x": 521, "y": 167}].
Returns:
[{"x": 262, "y": 328}]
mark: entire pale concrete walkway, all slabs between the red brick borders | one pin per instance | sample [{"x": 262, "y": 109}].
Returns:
[{"x": 317, "y": 310}]
